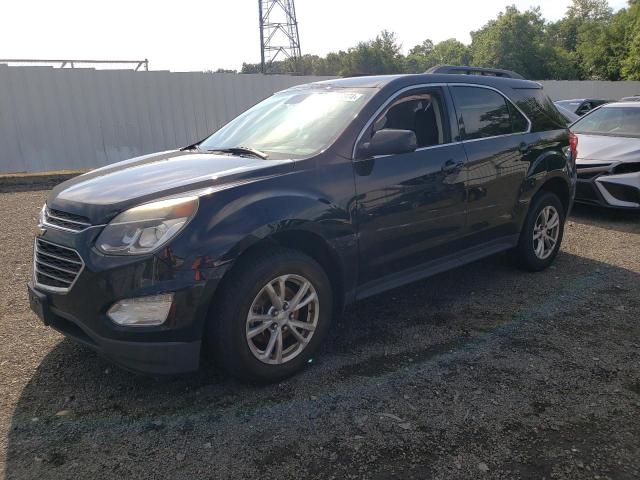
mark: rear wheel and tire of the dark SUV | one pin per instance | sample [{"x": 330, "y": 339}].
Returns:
[{"x": 527, "y": 252}]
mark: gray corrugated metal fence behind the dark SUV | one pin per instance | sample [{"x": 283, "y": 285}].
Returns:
[{"x": 68, "y": 119}]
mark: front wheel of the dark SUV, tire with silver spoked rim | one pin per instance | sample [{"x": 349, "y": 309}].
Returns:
[{"x": 246, "y": 289}]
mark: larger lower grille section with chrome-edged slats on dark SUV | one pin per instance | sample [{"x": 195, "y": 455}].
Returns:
[{"x": 55, "y": 267}]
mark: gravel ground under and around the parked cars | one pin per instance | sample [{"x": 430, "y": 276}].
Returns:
[{"x": 481, "y": 372}]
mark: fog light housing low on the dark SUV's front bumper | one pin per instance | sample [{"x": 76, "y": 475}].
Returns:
[{"x": 142, "y": 311}]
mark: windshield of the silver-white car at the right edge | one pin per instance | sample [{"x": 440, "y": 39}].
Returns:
[{"x": 615, "y": 121}]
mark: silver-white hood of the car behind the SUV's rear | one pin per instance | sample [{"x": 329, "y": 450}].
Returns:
[{"x": 606, "y": 148}]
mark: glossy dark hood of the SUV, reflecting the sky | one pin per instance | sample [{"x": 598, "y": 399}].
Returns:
[{"x": 106, "y": 191}]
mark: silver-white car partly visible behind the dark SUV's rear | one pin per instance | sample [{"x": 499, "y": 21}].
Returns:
[{"x": 608, "y": 160}]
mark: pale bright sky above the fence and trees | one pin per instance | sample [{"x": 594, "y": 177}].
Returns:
[{"x": 196, "y": 35}]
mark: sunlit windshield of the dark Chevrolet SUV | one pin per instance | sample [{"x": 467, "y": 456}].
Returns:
[{"x": 294, "y": 123}]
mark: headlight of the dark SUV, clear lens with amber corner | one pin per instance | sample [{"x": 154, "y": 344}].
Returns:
[{"x": 147, "y": 227}]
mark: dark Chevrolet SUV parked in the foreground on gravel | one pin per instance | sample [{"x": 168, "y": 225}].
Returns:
[{"x": 246, "y": 244}]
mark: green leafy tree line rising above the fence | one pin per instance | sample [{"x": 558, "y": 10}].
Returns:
[{"x": 590, "y": 42}]
